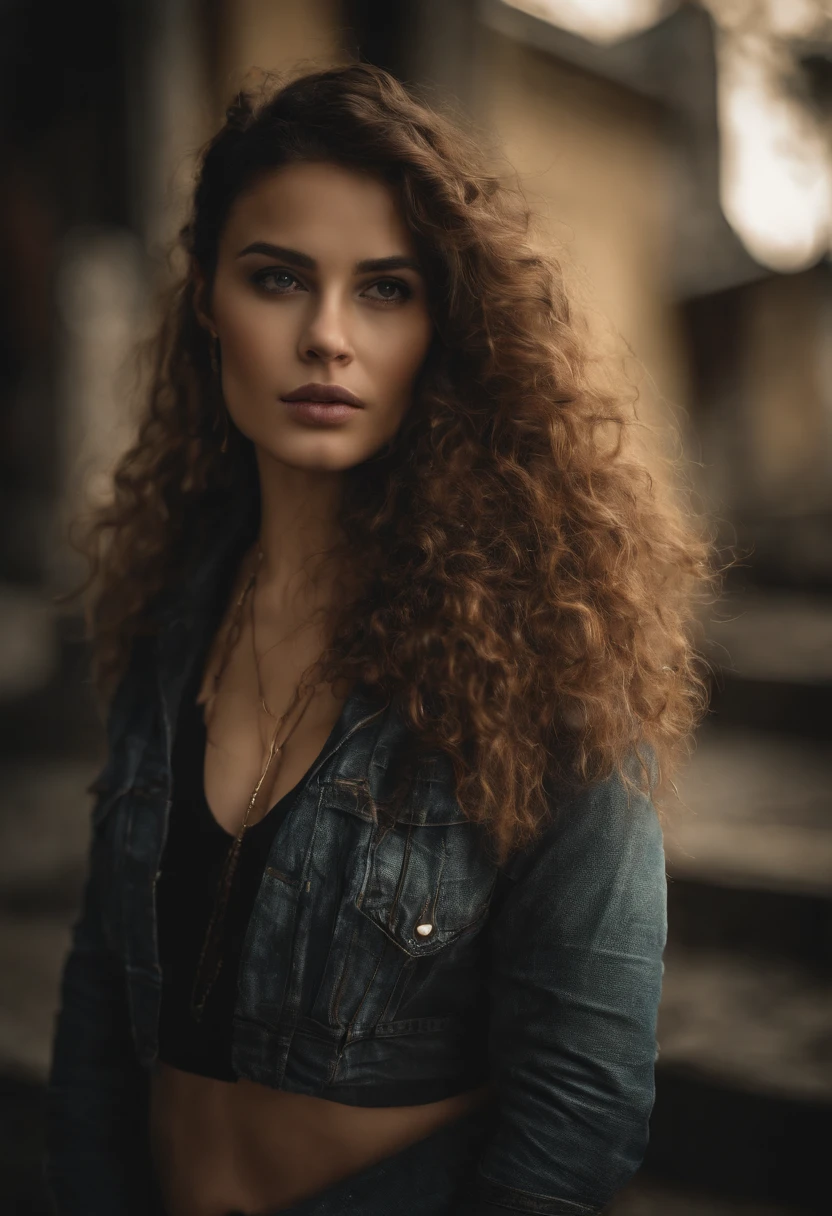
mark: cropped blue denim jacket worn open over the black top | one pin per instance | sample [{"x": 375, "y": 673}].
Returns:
[{"x": 543, "y": 976}]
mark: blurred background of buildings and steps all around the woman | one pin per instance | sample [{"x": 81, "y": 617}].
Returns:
[{"x": 682, "y": 155}]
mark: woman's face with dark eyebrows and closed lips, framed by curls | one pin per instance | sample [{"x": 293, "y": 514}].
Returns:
[{"x": 318, "y": 285}]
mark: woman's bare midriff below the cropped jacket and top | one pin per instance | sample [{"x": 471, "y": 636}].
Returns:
[{"x": 224, "y": 1147}]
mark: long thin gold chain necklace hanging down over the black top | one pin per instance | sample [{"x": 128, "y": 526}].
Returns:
[{"x": 211, "y": 956}]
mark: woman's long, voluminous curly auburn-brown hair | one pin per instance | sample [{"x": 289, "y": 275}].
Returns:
[{"x": 530, "y": 593}]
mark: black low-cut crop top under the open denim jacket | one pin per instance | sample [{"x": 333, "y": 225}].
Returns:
[{"x": 192, "y": 865}]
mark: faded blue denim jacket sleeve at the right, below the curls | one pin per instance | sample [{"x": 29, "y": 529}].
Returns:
[{"x": 576, "y": 983}]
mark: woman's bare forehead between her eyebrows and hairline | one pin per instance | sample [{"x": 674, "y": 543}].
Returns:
[{"x": 323, "y": 210}]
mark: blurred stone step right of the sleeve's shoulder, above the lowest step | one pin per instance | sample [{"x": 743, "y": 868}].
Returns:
[{"x": 750, "y": 847}]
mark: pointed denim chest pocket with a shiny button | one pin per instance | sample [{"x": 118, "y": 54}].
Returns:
[{"x": 429, "y": 880}]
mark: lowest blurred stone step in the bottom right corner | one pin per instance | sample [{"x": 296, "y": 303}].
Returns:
[{"x": 744, "y": 1080}]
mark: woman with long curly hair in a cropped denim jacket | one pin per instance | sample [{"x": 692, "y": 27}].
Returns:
[{"x": 398, "y": 651}]
